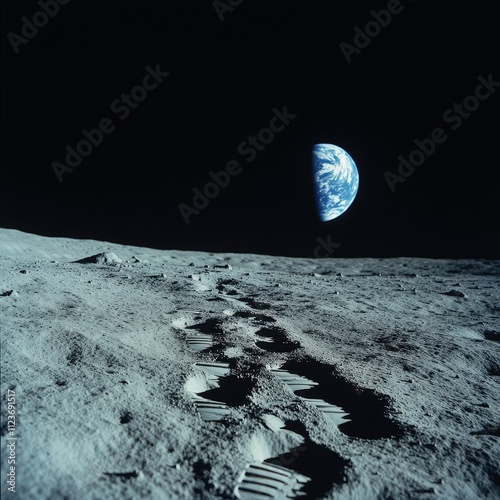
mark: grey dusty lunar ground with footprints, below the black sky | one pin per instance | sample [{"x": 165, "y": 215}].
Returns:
[{"x": 142, "y": 373}]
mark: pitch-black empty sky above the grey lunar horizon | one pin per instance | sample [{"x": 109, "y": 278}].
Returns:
[{"x": 225, "y": 79}]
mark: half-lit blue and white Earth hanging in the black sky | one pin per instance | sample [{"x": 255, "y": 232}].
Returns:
[{"x": 336, "y": 180}]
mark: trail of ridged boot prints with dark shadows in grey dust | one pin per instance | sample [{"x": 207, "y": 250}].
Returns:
[{"x": 308, "y": 469}]
